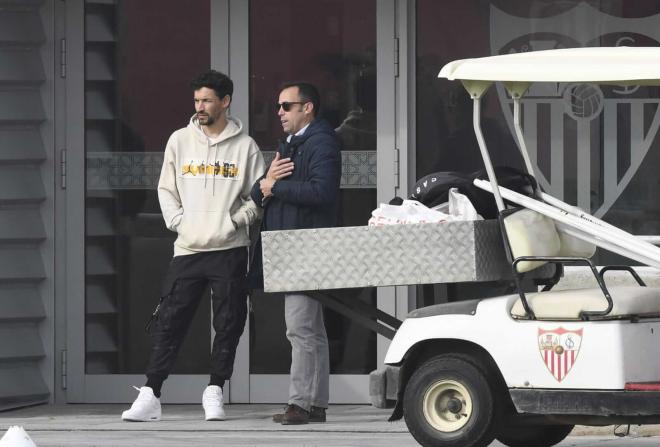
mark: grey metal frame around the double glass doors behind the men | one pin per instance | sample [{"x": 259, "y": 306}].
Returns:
[{"x": 229, "y": 53}]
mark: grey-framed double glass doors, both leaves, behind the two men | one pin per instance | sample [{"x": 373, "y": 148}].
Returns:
[{"x": 127, "y": 91}]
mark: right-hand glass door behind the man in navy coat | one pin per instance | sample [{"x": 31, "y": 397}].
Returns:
[{"x": 333, "y": 46}]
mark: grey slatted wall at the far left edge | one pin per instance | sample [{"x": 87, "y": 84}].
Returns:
[{"x": 25, "y": 208}]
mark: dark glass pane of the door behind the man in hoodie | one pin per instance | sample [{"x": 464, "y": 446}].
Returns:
[{"x": 139, "y": 59}]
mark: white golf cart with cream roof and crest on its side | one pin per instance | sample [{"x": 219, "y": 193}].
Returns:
[{"x": 525, "y": 368}]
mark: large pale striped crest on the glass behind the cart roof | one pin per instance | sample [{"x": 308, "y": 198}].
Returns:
[{"x": 580, "y": 135}]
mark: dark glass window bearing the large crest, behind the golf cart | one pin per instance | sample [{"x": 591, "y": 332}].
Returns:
[{"x": 592, "y": 146}]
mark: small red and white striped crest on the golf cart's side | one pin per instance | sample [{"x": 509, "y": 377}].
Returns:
[{"x": 559, "y": 349}]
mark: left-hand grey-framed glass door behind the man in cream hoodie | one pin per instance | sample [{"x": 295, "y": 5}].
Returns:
[{"x": 128, "y": 90}]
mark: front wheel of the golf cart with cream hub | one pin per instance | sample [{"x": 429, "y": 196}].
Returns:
[{"x": 449, "y": 403}]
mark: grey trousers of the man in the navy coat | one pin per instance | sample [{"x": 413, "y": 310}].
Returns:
[{"x": 310, "y": 360}]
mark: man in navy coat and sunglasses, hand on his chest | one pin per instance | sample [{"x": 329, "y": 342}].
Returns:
[{"x": 301, "y": 190}]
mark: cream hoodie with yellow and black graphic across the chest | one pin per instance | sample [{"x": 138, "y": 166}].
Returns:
[{"x": 204, "y": 187}]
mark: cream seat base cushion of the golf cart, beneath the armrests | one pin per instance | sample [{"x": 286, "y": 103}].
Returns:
[{"x": 567, "y": 304}]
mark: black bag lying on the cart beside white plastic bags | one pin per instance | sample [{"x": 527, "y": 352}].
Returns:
[{"x": 433, "y": 189}]
